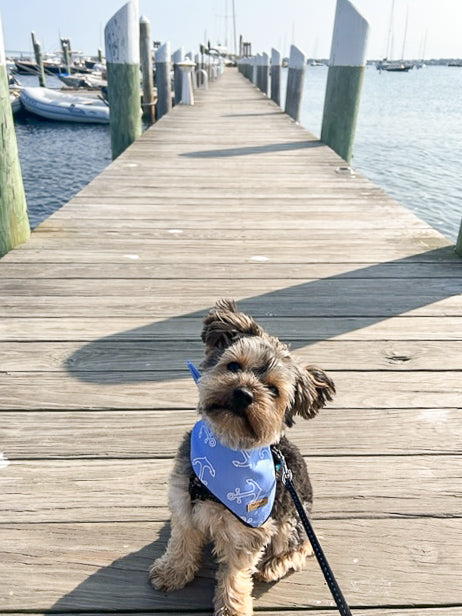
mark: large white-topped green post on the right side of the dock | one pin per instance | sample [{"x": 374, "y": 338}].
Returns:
[{"x": 347, "y": 66}]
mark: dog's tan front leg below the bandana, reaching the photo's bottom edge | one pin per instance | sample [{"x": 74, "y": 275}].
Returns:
[{"x": 237, "y": 563}]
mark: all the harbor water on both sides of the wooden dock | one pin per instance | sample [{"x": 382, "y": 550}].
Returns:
[{"x": 408, "y": 141}]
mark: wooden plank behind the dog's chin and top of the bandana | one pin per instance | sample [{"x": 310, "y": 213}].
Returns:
[{"x": 29, "y": 435}]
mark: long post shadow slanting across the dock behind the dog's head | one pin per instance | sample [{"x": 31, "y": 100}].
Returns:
[{"x": 354, "y": 300}]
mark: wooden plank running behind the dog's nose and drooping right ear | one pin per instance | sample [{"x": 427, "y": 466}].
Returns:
[{"x": 176, "y": 390}]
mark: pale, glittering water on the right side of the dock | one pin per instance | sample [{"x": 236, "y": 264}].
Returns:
[{"x": 408, "y": 138}]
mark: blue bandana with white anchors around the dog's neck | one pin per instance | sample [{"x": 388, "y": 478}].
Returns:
[{"x": 243, "y": 480}]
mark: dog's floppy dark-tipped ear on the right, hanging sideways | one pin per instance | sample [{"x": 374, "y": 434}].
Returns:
[{"x": 313, "y": 389}]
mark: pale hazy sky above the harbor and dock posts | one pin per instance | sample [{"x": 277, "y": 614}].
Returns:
[{"x": 266, "y": 23}]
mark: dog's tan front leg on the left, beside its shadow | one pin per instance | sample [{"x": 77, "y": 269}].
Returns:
[{"x": 181, "y": 560}]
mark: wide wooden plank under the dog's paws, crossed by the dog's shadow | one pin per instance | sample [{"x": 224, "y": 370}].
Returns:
[{"x": 93, "y": 567}]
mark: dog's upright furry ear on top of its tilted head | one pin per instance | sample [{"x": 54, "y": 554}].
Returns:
[{"x": 224, "y": 324}]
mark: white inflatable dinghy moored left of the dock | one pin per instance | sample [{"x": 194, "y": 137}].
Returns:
[{"x": 55, "y": 105}]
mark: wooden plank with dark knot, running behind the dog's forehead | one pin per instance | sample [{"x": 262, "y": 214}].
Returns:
[{"x": 107, "y": 354}]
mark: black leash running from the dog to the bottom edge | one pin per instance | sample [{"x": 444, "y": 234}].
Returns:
[{"x": 334, "y": 588}]
